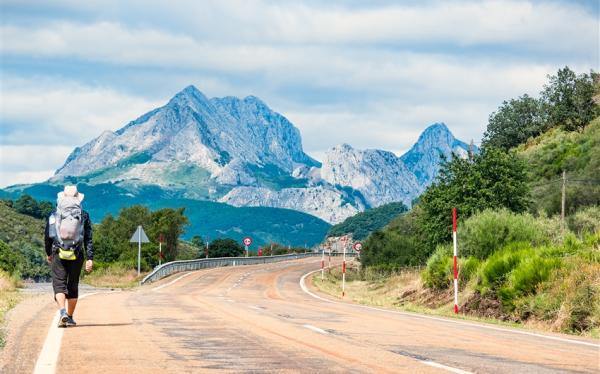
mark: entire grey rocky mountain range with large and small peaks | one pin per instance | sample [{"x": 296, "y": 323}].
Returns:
[{"x": 242, "y": 153}]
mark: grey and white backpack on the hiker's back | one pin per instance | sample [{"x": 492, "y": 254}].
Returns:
[{"x": 66, "y": 226}]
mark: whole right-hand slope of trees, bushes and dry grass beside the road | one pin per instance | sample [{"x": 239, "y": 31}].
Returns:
[{"x": 519, "y": 261}]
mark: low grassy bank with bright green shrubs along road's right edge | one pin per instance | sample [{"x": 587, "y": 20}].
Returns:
[{"x": 525, "y": 276}]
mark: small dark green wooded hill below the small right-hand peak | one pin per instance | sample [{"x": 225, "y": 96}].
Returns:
[{"x": 364, "y": 223}]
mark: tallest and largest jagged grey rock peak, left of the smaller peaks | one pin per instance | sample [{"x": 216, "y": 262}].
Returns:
[{"x": 218, "y": 135}]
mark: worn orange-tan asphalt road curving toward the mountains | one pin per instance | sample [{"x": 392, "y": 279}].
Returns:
[{"x": 259, "y": 319}]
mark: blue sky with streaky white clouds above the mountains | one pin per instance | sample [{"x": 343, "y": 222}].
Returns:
[{"x": 371, "y": 74}]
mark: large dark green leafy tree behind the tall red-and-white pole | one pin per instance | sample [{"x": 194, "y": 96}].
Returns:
[{"x": 493, "y": 179}]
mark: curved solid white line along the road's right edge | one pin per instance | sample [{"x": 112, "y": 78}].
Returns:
[{"x": 564, "y": 340}]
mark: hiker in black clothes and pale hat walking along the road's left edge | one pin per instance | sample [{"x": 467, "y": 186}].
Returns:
[{"x": 68, "y": 233}]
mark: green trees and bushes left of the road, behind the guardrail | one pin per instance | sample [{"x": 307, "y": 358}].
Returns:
[{"x": 22, "y": 254}]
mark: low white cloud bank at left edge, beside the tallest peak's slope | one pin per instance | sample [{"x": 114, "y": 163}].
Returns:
[{"x": 41, "y": 111}]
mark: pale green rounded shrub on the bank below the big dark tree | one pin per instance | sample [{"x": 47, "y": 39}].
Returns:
[{"x": 484, "y": 233}]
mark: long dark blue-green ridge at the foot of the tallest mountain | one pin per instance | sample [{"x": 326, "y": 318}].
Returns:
[{"x": 207, "y": 219}]
